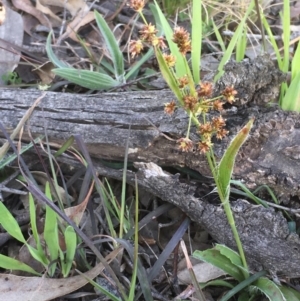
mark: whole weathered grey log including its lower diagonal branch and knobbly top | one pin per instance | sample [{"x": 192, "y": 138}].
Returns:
[{"x": 270, "y": 156}]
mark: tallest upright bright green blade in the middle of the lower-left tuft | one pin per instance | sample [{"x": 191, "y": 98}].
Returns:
[{"x": 51, "y": 228}]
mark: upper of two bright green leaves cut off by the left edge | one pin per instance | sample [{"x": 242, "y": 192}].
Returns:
[{"x": 10, "y": 224}]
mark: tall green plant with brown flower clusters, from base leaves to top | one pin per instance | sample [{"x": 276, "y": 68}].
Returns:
[{"x": 197, "y": 102}]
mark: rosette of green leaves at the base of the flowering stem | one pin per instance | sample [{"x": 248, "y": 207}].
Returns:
[{"x": 246, "y": 287}]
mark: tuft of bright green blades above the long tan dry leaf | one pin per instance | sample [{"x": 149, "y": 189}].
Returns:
[{"x": 52, "y": 253}]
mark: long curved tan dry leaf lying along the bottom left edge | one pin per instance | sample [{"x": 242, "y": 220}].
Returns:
[{"x": 44, "y": 289}]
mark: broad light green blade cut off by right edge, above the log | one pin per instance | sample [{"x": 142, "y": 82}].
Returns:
[{"x": 291, "y": 100}]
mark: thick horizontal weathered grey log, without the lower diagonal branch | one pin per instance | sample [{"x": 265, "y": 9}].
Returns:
[{"x": 270, "y": 156}]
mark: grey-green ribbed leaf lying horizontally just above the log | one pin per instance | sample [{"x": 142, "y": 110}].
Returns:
[{"x": 88, "y": 79}]
